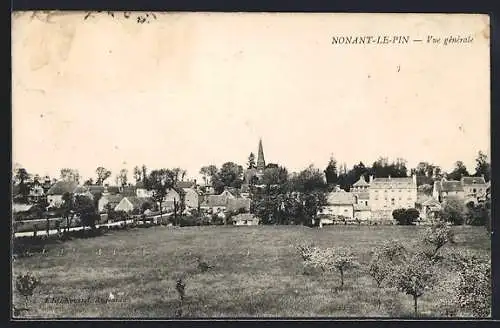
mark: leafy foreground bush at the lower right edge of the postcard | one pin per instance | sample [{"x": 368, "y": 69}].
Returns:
[{"x": 474, "y": 287}]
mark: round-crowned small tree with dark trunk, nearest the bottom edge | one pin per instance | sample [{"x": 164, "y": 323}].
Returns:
[{"x": 414, "y": 277}]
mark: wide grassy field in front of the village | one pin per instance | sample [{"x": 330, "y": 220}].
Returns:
[{"x": 257, "y": 273}]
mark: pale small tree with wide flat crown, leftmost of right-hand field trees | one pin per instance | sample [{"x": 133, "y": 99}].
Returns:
[{"x": 331, "y": 259}]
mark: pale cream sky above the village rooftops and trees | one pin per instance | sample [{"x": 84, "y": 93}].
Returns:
[{"x": 188, "y": 90}]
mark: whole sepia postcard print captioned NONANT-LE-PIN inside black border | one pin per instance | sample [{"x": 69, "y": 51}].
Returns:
[{"x": 196, "y": 165}]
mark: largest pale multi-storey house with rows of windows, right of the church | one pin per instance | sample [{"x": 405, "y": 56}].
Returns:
[{"x": 388, "y": 194}]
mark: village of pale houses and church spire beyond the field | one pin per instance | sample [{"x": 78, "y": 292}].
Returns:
[{"x": 368, "y": 201}]
